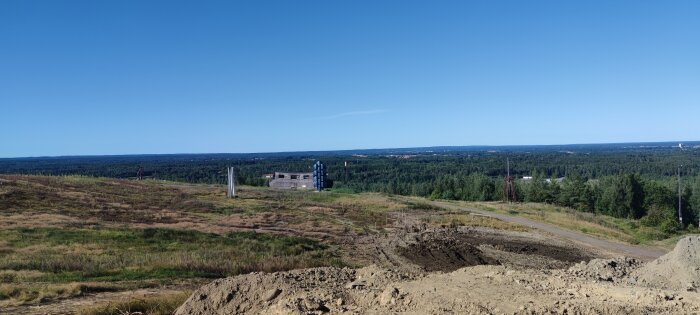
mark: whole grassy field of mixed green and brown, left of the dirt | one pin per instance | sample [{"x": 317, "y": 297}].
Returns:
[{"x": 67, "y": 237}]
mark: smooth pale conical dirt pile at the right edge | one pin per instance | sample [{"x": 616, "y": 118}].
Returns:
[{"x": 678, "y": 270}]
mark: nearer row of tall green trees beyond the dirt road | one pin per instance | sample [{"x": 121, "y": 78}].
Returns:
[{"x": 654, "y": 202}]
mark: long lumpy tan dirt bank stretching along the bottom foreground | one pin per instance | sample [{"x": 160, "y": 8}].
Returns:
[{"x": 484, "y": 289}]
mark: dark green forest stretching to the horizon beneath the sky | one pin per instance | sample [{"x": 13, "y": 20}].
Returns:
[{"x": 637, "y": 181}]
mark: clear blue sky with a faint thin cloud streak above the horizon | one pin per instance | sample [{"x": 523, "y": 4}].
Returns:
[{"x": 125, "y": 77}]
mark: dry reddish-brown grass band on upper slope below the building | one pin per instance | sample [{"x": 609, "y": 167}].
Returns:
[{"x": 40, "y": 201}]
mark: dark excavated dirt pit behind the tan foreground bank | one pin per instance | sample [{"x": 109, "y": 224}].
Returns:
[{"x": 445, "y": 250}]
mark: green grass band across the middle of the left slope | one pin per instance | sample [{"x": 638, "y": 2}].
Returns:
[{"x": 70, "y": 255}]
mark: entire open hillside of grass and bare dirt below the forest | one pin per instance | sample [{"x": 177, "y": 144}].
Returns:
[{"x": 282, "y": 251}]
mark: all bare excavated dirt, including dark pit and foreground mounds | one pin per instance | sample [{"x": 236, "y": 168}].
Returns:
[{"x": 420, "y": 270}]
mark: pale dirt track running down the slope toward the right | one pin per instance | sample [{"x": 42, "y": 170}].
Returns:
[{"x": 613, "y": 248}]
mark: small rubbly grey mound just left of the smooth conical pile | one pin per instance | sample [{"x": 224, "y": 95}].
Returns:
[{"x": 612, "y": 270}]
